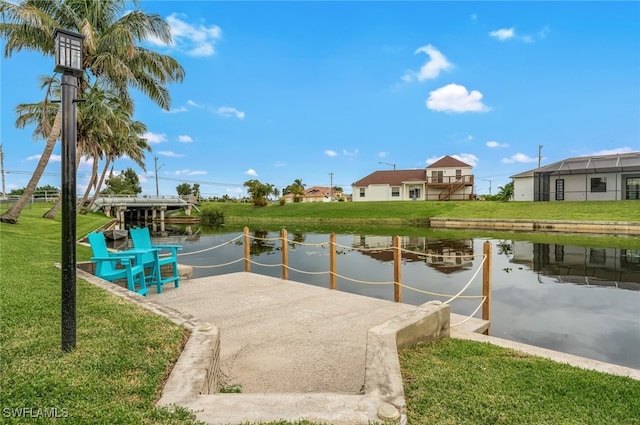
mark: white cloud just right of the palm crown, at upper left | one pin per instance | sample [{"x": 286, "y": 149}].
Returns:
[{"x": 194, "y": 40}]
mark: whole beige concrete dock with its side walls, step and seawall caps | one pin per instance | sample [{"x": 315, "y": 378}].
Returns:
[{"x": 296, "y": 351}]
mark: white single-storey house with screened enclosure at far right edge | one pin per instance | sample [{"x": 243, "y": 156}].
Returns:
[{"x": 588, "y": 178}]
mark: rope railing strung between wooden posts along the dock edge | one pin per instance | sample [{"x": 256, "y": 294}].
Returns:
[{"x": 398, "y": 251}]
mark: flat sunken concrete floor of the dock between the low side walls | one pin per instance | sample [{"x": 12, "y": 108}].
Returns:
[{"x": 281, "y": 336}]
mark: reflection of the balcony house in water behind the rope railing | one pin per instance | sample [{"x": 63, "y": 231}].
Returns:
[{"x": 446, "y": 256}]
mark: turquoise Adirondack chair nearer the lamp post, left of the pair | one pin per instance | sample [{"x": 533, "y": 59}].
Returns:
[{"x": 113, "y": 266}]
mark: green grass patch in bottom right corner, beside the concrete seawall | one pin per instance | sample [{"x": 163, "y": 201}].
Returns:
[{"x": 467, "y": 383}]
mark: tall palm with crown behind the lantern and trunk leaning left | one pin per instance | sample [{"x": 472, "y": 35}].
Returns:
[{"x": 111, "y": 55}]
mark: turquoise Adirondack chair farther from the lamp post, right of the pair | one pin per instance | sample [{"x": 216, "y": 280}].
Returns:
[{"x": 155, "y": 257}]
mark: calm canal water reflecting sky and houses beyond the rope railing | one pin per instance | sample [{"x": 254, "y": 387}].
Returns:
[{"x": 583, "y": 301}]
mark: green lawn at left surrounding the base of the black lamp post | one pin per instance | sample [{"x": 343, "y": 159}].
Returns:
[{"x": 123, "y": 351}]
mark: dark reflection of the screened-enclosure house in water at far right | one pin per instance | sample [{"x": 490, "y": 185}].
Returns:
[{"x": 581, "y": 266}]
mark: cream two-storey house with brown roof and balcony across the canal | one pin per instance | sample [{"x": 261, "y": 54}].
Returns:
[{"x": 447, "y": 179}]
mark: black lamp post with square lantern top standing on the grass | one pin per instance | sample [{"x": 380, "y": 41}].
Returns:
[{"x": 69, "y": 62}]
